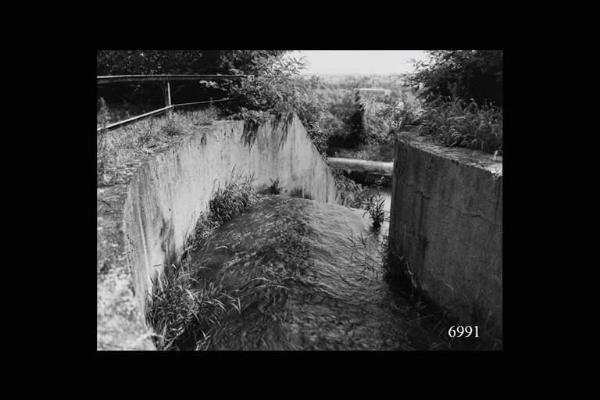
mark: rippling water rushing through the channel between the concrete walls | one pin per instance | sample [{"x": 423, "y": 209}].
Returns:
[{"x": 308, "y": 276}]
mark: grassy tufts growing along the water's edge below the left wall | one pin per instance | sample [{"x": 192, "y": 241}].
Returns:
[{"x": 185, "y": 308}]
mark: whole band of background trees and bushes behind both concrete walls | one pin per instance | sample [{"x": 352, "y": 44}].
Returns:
[{"x": 331, "y": 109}]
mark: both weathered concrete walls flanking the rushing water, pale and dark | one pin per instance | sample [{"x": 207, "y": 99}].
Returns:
[{"x": 445, "y": 217}]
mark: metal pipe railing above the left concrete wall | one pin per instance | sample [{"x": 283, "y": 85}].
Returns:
[{"x": 166, "y": 78}]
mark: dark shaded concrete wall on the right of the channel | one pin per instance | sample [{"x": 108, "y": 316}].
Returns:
[{"x": 446, "y": 220}]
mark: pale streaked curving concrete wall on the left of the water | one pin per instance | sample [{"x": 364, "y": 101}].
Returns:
[{"x": 169, "y": 192}]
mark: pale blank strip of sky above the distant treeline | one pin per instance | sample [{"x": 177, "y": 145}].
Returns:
[{"x": 359, "y": 61}]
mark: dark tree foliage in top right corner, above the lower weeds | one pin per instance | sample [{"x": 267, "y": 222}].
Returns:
[{"x": 467, "y": 74}]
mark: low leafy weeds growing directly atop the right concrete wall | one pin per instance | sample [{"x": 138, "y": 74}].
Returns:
[{"x": 464, "y": 124}]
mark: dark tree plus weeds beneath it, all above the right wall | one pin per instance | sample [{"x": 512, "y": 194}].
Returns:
[{"x": 462, "y": 95}]
